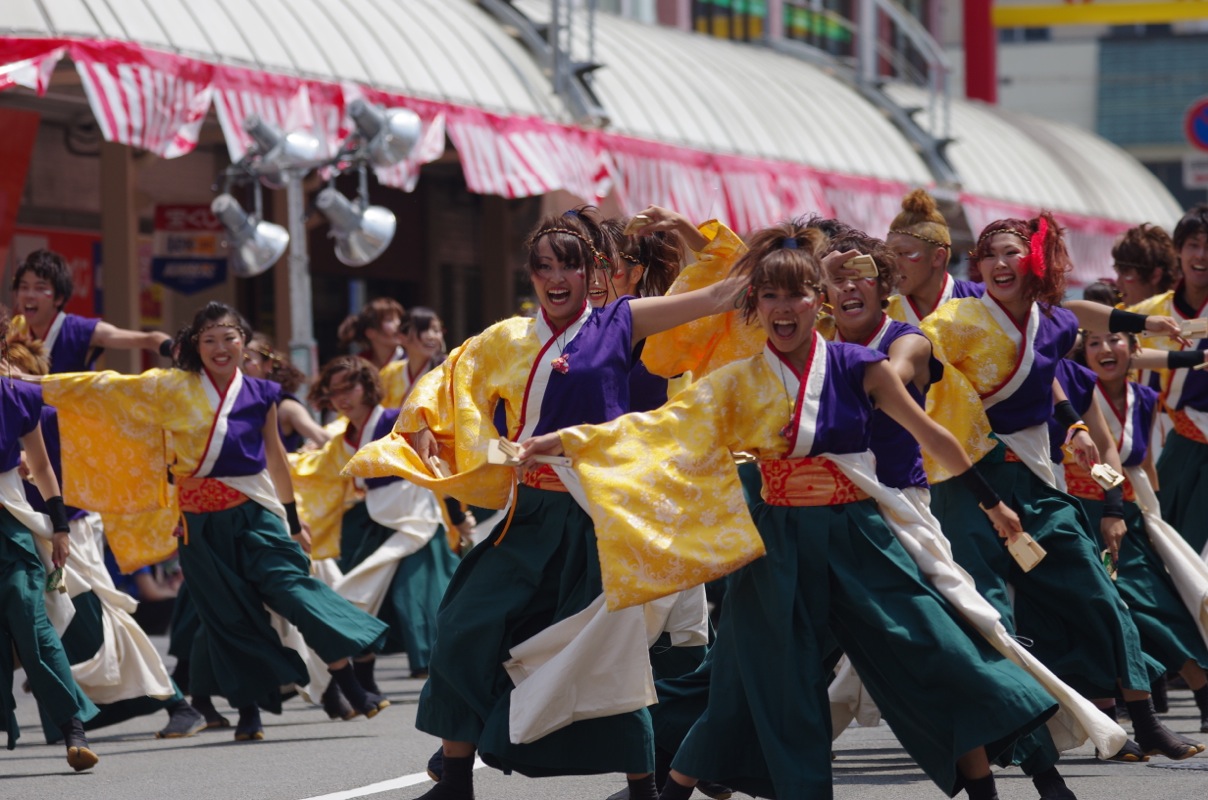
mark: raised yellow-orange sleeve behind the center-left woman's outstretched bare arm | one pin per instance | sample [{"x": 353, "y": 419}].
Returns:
[{"x": 710, "y": 343}]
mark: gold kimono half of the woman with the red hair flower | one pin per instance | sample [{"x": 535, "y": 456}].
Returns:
[{"x": 978, "y": 358}]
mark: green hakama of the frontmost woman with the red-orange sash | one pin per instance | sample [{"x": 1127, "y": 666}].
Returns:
[{"x": 837, "y": 575}]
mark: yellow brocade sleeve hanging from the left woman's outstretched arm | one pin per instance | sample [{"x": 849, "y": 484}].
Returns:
[{"x": 115, "y": 455}]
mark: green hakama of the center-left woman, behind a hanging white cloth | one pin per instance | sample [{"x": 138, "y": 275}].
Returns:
[{"x": 506, "y": 590}]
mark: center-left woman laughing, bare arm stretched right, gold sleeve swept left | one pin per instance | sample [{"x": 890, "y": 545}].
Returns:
[{"x": 570, "y": 366}]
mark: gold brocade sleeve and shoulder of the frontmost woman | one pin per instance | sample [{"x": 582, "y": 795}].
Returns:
[{"x": 663, "y": 488}]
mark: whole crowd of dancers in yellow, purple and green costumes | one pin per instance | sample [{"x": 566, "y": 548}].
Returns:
[{"x": 881, "y": 478}]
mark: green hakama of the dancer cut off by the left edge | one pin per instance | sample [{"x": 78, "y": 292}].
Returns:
[{"x": 26, "y": 630}]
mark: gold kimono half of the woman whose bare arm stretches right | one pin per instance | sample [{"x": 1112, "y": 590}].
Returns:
[{"x": 457, "y": 403}]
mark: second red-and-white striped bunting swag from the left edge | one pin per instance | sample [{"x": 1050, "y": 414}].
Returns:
[{"x": 146, "y": 100}]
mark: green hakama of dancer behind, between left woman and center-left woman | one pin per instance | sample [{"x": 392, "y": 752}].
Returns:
[{"x": 416, "y": 590}]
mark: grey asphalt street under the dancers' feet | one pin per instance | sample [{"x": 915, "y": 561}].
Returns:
[{"x": 306, "y": 757}]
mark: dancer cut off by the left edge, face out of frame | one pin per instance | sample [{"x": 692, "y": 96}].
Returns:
[{"x": 26, "y": 630}]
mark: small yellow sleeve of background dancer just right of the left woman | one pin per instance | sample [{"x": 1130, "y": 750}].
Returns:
[{"x": 323, "y": 495}]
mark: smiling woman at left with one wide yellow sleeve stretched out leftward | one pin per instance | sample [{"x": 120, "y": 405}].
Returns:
[{"x": 235, "y": 494}]
